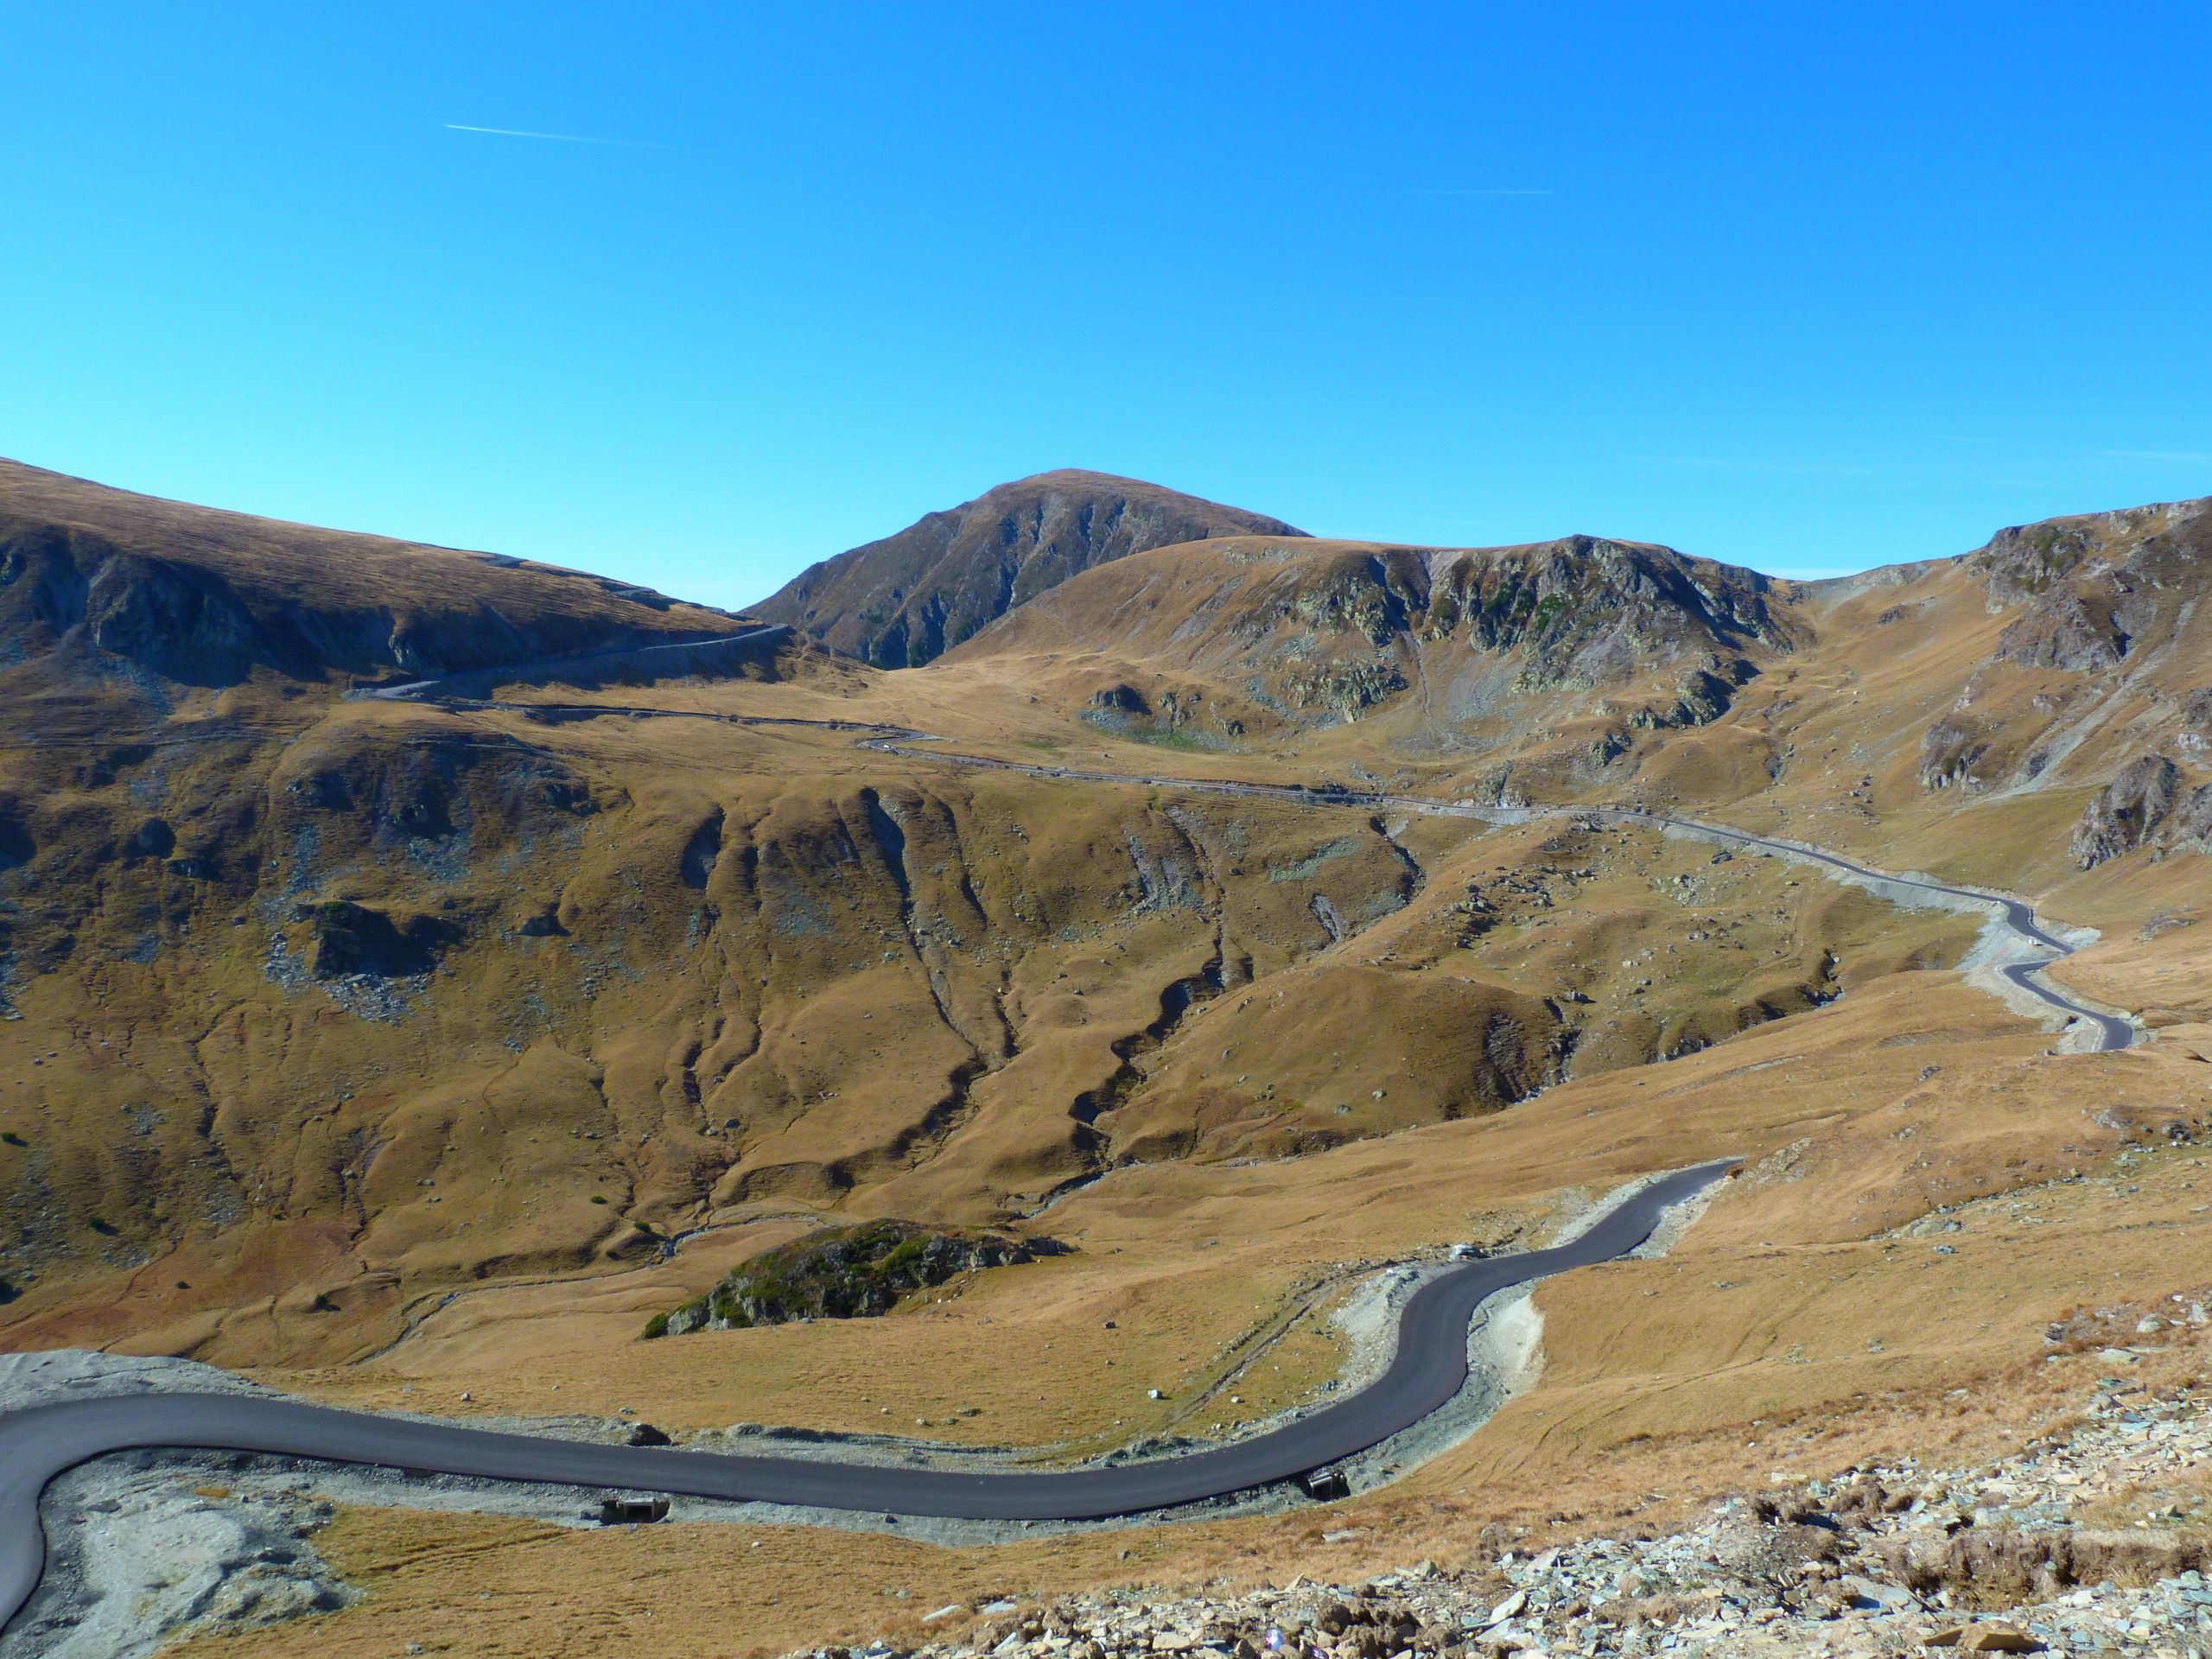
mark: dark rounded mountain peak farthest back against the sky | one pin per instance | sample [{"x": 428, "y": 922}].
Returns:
[{"x": 908, "y": 598}]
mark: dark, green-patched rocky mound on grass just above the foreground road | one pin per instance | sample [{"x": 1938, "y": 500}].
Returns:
[{"x": 846, "y": 1273}]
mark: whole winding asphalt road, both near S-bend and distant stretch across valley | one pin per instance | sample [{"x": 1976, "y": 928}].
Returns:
[{"x": 1426, "y": 1373}]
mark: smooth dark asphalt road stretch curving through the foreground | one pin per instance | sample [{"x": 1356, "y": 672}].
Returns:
[{"x": 1428, "y": 1368}]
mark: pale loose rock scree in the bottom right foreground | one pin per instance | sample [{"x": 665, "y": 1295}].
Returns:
[{"x": 2001, "y": 1558}]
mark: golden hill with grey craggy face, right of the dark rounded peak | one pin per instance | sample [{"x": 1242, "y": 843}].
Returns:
[{"x": 1324, "y": 632}]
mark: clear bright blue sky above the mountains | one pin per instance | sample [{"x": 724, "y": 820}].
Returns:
[{"x": 1799, "y": 286}]
